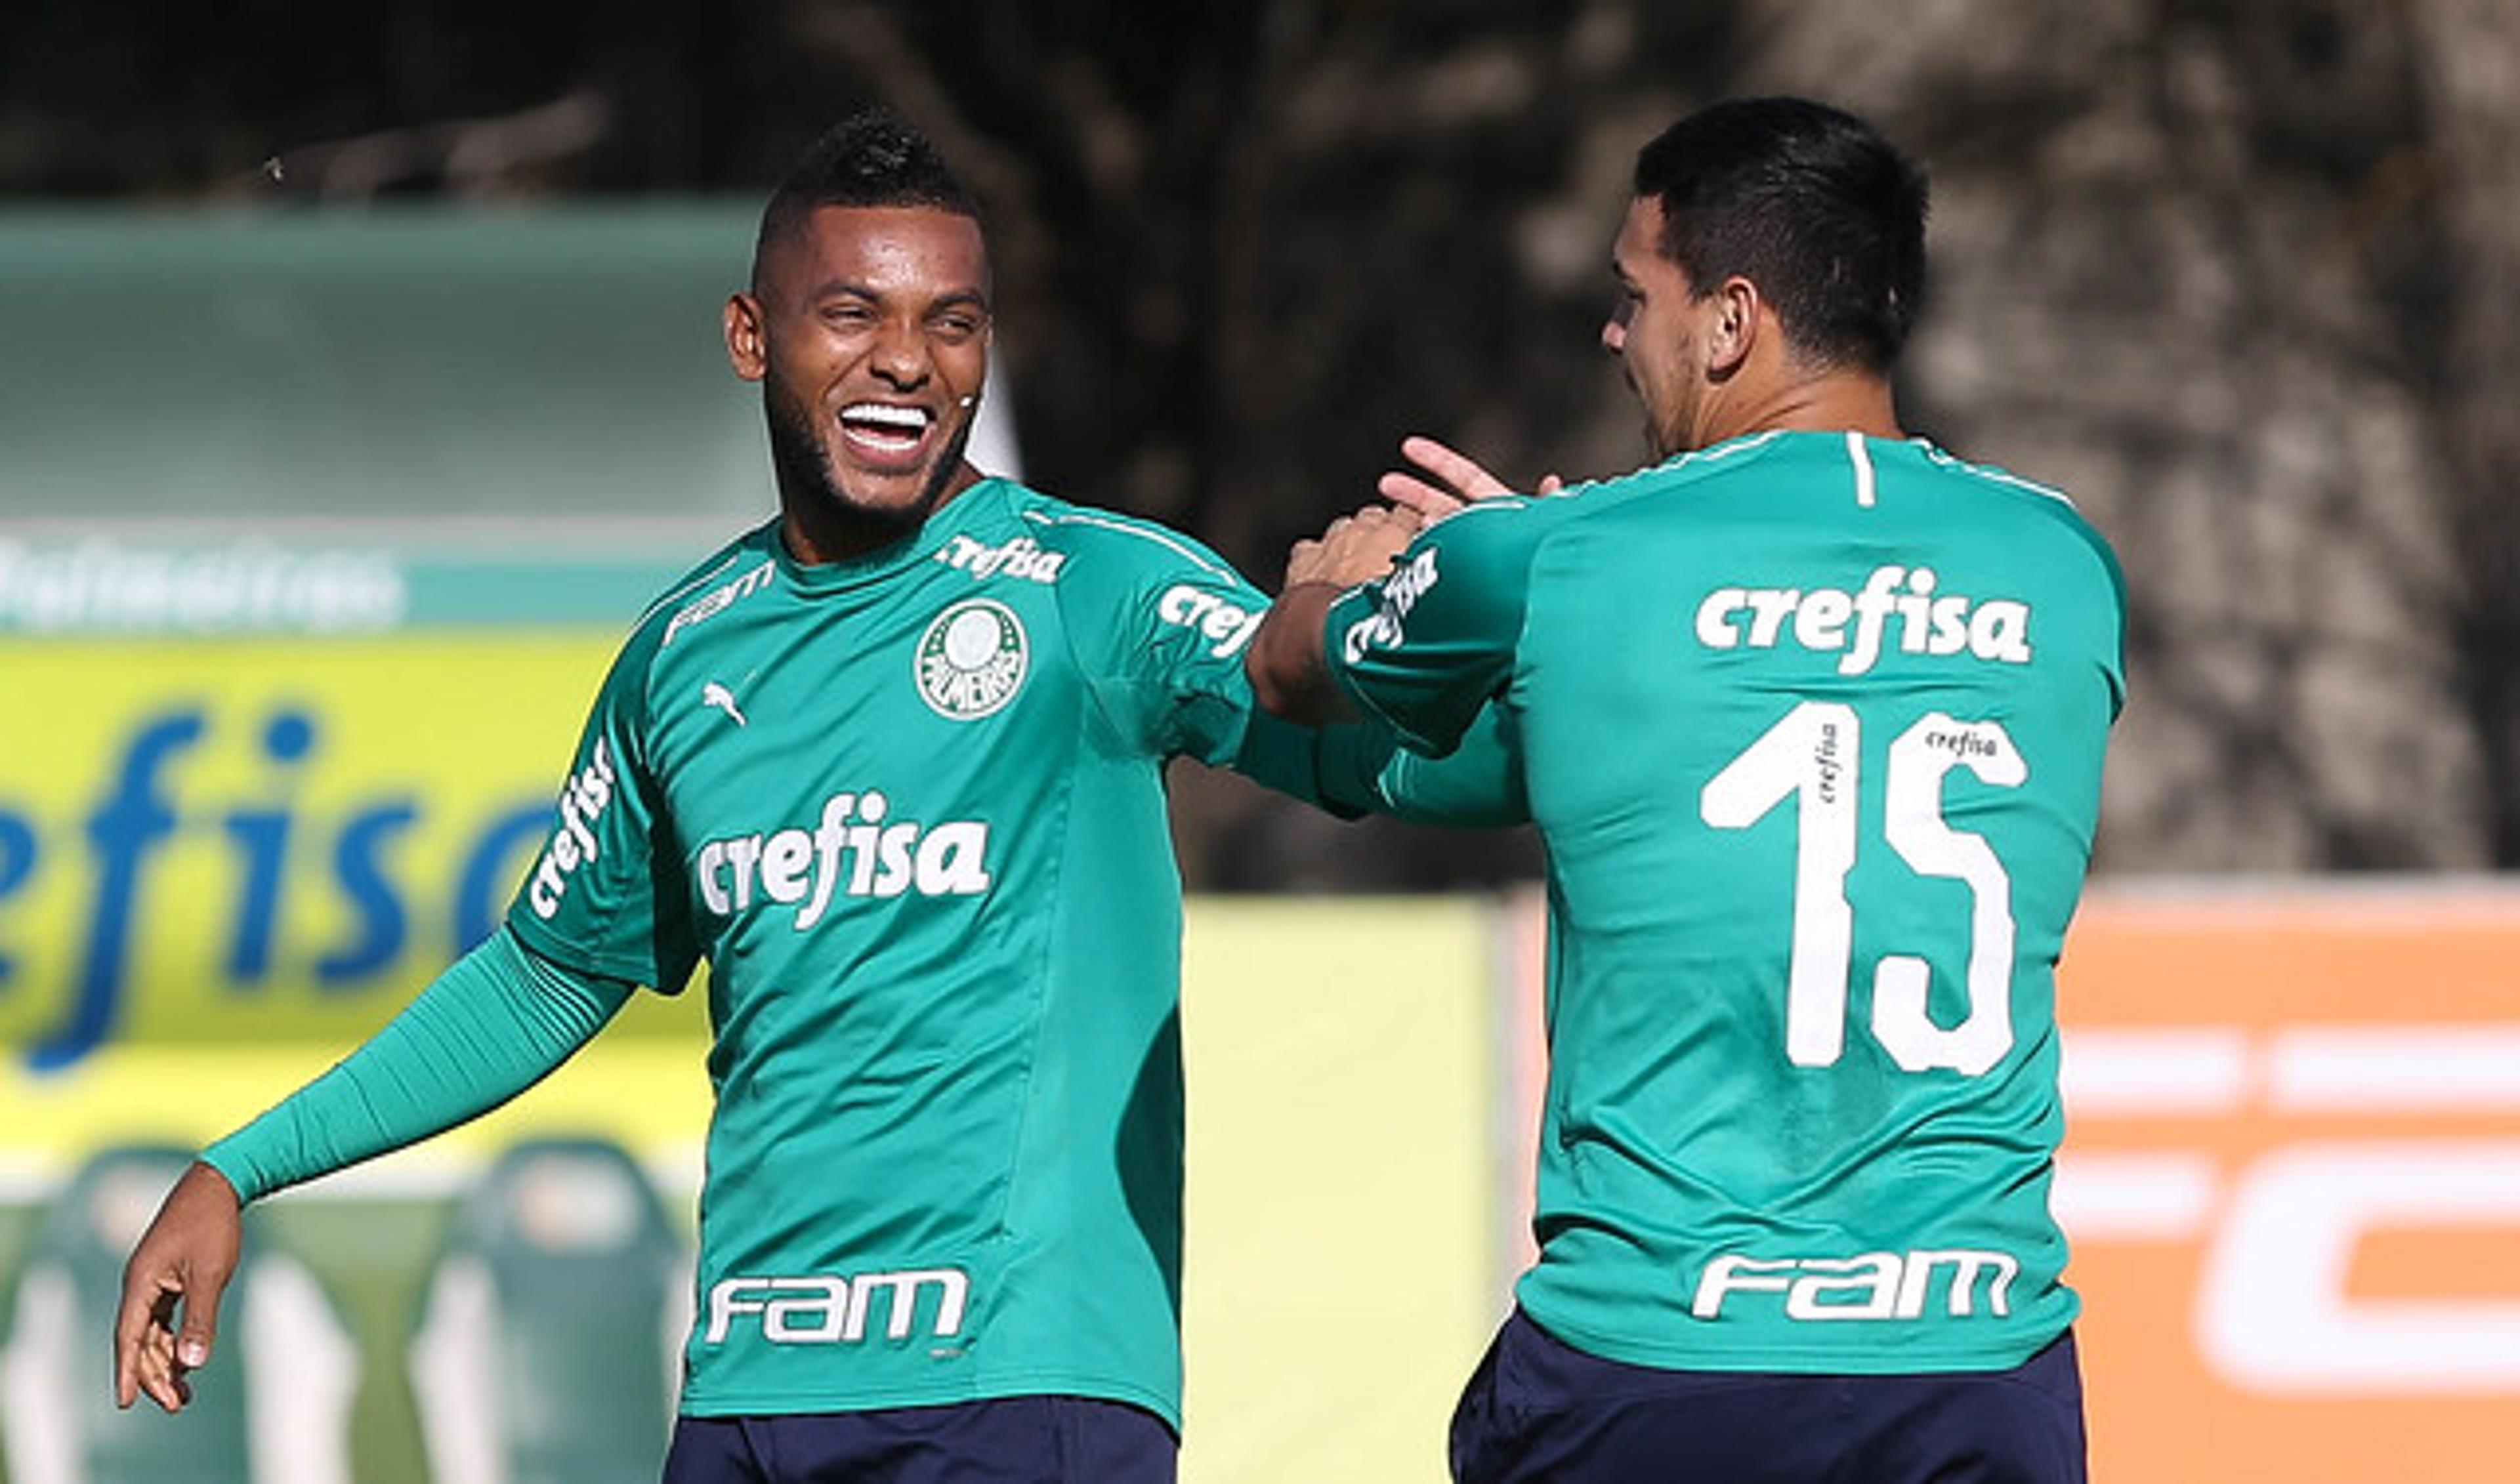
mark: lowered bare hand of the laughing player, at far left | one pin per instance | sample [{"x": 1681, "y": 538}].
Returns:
[{"x": 178, "y": 1269}]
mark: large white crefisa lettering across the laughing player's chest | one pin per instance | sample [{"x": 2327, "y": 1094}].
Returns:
[{"x": 808, "y": 865}]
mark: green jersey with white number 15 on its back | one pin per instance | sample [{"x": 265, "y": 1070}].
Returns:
[{"x": 1813, "y": 732}]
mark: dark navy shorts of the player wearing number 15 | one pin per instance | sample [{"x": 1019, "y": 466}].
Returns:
[{"x": 1538, "y": 1410}]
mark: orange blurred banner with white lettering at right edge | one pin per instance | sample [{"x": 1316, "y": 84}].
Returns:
[{"x": 2292, "y": 1180}]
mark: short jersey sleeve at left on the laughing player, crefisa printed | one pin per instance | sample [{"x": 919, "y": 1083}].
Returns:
[{"x": 609, "y": 893}]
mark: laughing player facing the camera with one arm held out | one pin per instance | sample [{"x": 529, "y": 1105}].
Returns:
[{"x": 891, "y": 765}]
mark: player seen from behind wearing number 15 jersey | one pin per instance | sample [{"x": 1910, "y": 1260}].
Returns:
[{"x": 1811, "y": 719}]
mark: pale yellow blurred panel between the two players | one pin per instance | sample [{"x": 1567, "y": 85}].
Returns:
[{"x": 1342, "y": 1274}]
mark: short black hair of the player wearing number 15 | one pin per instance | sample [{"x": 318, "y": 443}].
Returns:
[{"x": 1808, "y": 203}]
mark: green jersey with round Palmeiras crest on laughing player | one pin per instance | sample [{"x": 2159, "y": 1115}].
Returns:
[{"x": 911, "y": 815}]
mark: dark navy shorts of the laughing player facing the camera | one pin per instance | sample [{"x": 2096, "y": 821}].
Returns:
[{"x": 1014, "y": 1440}]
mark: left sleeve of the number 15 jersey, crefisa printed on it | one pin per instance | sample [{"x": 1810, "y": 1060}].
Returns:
[{"x": 1428, "y": 646}]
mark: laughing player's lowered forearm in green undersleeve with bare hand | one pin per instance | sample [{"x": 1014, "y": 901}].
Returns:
[{"x": 495, "y": 1024}]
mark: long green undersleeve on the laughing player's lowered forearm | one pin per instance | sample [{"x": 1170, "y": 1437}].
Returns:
[{"x": 495, "y": 1024}]
